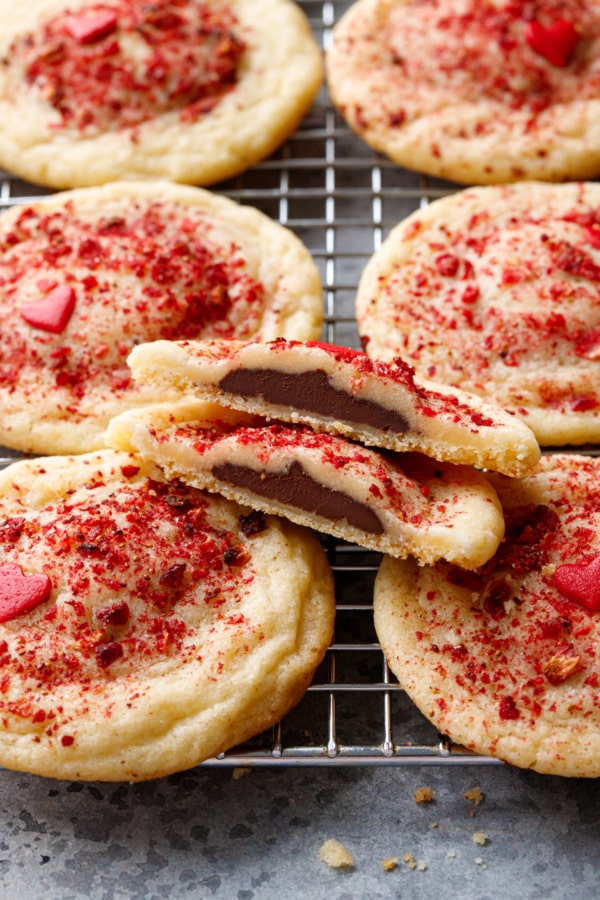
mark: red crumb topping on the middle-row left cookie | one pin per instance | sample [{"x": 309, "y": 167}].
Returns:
[{"x": 77, "y": 292}]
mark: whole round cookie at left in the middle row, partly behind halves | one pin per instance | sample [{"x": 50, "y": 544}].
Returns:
[{"x": 85, "y": 275}]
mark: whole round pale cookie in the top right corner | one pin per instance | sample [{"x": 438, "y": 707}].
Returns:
[{"x": 476, "y": 91}]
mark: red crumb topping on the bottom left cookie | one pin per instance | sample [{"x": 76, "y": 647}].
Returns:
[{"x": 160, "y": 545}]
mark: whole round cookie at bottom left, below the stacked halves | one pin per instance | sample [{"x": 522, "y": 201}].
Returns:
[{"x": 146, "y": 626}]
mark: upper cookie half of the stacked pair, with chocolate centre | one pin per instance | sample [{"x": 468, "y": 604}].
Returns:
[{"x": 339, "y": 390}]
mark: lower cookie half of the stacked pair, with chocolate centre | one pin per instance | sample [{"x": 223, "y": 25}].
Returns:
[{"x": 399, "y": 504}]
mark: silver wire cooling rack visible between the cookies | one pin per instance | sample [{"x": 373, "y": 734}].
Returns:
[{"x": 341, "y": 199}]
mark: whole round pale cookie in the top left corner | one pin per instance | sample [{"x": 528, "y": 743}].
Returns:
[{"x": 190, "y": 90}]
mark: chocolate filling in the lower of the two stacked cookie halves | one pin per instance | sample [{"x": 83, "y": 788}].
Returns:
[{"x": 296, "y": 488}]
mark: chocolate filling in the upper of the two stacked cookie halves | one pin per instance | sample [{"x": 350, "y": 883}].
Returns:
[{"x": 312, "y": 392}]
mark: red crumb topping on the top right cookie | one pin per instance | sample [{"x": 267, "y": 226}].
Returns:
[{"x": 513, "y": 53}]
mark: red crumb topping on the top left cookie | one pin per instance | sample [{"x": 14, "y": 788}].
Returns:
[{"x": 119, "y": 64}]
